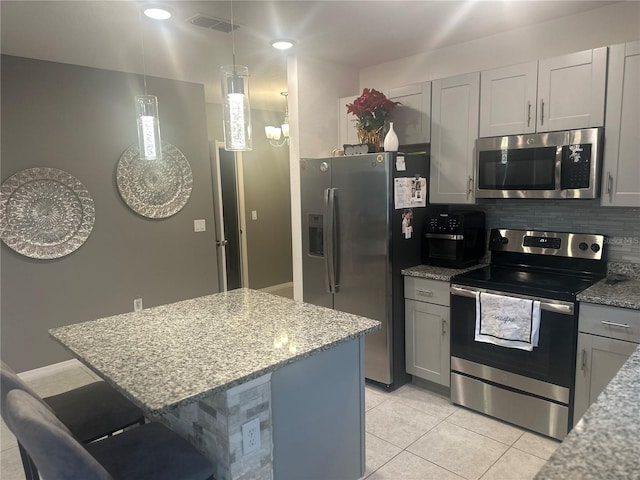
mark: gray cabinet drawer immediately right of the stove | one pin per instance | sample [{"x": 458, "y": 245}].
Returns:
[{"x": 612, "y": 322}]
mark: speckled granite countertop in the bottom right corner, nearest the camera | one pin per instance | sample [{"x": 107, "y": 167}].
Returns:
[{"x": 604, "y": 443}]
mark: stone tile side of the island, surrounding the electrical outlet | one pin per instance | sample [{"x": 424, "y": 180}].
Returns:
[{"x": 213, "y": 425}]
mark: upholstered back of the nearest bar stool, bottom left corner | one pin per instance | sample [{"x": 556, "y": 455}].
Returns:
[{"x": 54, "y": 450}]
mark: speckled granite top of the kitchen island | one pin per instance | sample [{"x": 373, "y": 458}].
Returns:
[{"x": 175, "y": 354}]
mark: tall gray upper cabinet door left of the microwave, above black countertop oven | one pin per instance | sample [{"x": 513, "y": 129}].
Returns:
[{"x": 454, "y": 130}]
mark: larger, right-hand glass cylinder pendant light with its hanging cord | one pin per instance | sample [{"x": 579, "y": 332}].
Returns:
[{"x": 235, "y": 102}]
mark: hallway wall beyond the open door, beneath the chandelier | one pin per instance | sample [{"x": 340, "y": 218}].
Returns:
[{"x": 267, "y": 191}]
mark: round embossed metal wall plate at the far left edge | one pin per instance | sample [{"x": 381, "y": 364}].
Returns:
[{"x": 45, "y": 213}]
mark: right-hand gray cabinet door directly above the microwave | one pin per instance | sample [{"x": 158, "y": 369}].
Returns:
[{"x": 571, "y": 91}]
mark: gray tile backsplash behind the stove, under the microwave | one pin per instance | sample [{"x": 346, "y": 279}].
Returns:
[{"x": 621, "y": 225}]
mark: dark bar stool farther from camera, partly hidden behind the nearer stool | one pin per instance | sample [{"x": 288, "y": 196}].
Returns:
[{"x": 90, "y": 412}]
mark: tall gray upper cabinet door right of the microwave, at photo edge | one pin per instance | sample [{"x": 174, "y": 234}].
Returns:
[{"x": 621, "y": 172}]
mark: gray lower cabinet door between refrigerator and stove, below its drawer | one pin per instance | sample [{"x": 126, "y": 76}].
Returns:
[{"x": 427, "y": 341}]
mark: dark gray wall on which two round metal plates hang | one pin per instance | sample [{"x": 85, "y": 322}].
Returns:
[{"x": 81, "y": 120}]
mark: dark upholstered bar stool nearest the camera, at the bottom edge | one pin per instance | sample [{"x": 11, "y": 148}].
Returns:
[{"x": 149, "y": 452}]
